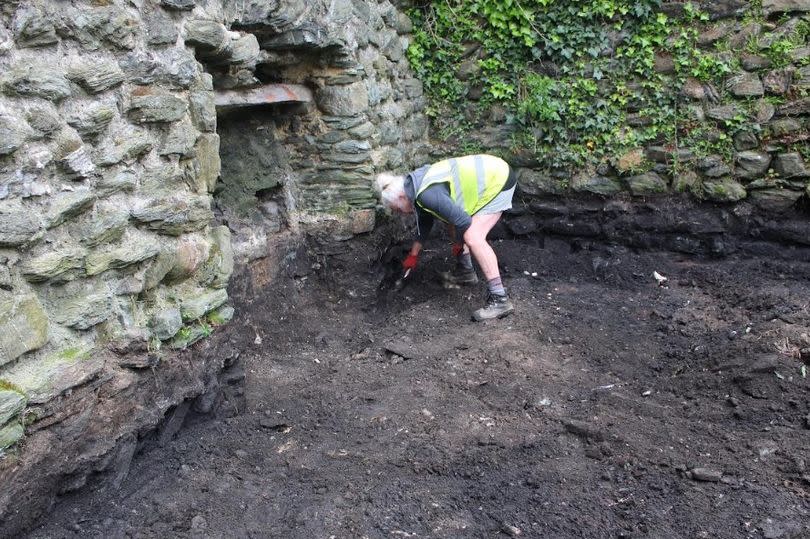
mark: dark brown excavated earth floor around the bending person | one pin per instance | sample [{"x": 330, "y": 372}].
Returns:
[{"x": 606, "y": 406}]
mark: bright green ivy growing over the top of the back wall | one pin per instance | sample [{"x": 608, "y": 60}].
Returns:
[{"x": 577, "y": 78}]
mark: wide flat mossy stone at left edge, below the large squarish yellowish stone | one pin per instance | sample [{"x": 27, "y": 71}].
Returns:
[{"x": 48, "y": 377}]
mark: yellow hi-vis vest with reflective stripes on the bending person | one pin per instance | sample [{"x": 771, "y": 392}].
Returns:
[{"x": 474, "y": 180}]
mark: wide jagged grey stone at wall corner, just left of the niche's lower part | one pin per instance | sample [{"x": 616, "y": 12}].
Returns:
[{"x": 175, "y": 215}]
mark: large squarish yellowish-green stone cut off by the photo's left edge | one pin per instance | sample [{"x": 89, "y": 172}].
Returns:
[{"x": 23, "y": 326}]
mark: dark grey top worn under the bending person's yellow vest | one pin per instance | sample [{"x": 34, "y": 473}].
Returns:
[{"x": 437, "y": 199}]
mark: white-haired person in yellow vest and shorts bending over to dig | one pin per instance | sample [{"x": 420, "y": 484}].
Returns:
[{"x": 469, "y": 194}]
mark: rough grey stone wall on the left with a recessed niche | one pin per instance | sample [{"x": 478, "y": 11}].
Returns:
[{"x": 123, "y": 214}]
